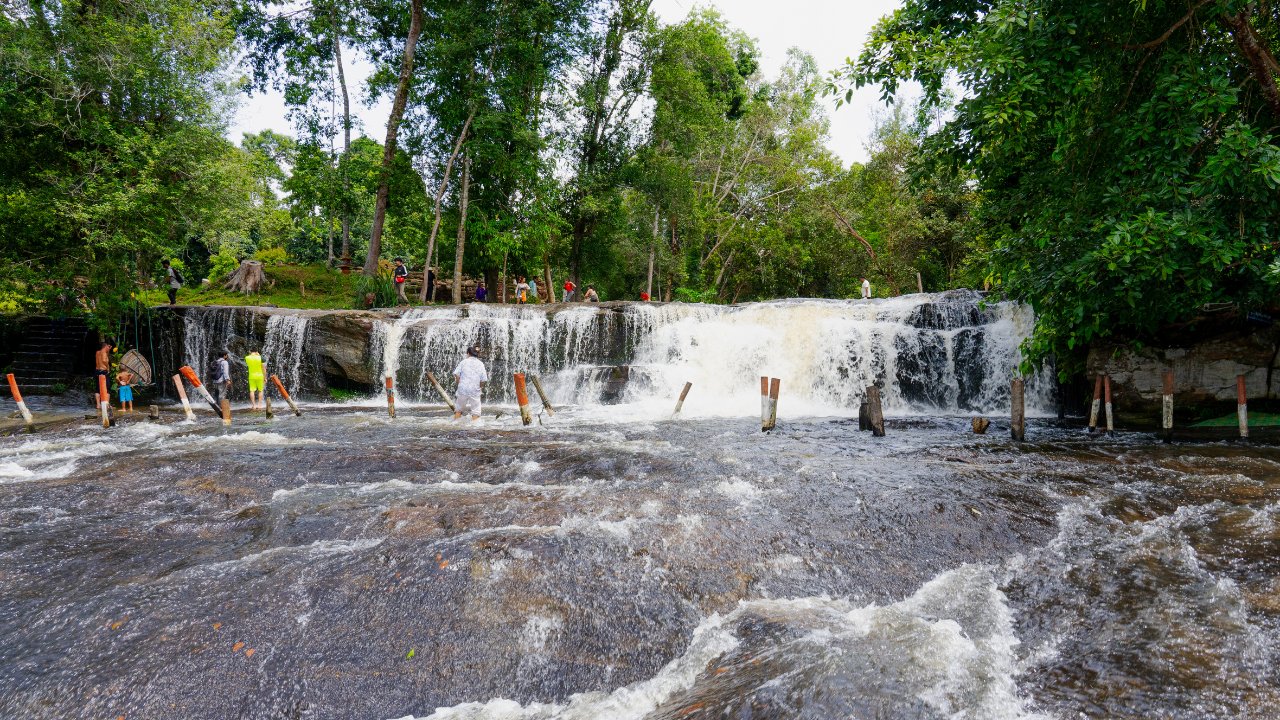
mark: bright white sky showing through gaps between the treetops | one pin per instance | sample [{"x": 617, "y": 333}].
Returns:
[{"x": 830, "y": 30}]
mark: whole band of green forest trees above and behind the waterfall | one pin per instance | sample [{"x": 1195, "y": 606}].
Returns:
[{"x": 1114, "y": 165}]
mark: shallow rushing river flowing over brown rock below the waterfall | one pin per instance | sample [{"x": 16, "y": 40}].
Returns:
[{"x": 606, "y": 563}]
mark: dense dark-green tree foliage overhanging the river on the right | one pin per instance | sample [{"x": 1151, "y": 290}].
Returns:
[{"x": 1127, "y": 154}]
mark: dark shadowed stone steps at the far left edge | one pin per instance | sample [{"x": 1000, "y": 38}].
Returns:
[{"x": 52, "y": 354}]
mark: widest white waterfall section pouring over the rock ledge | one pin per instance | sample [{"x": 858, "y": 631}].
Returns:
[{"x": 929, "y": 353}]
